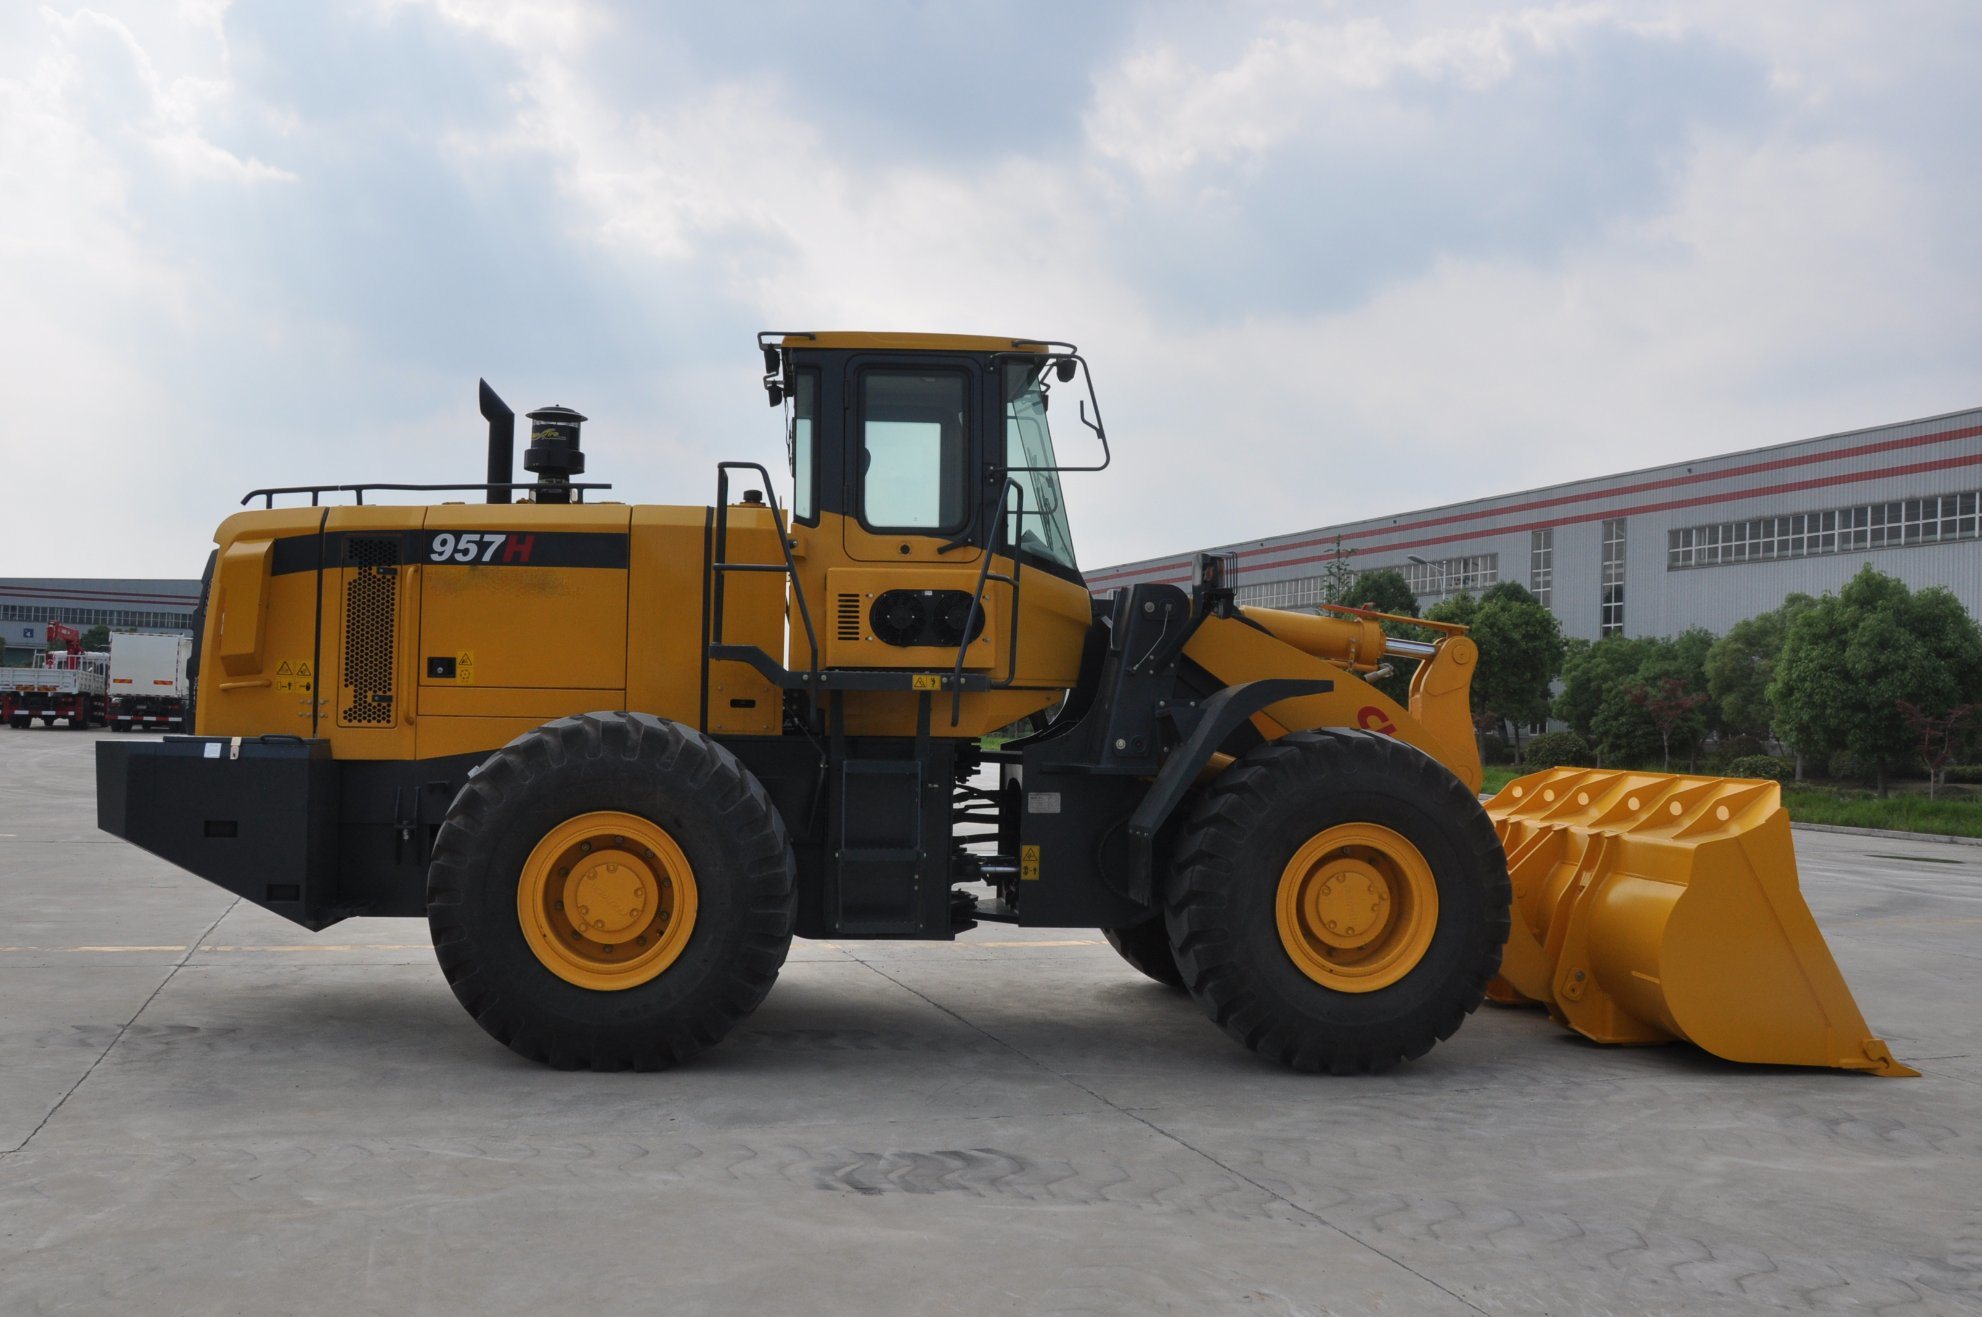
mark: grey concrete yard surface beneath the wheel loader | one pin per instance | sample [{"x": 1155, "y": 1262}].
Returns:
[{"x": 209, "y": 1110}]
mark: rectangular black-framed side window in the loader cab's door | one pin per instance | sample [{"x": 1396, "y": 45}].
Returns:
[{"x": 915, "y": 451}]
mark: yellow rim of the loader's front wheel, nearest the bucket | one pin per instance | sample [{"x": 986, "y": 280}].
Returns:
[{"x": 1357, "y": 907}]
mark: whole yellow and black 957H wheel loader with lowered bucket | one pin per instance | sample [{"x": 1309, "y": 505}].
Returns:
[{"x": 621, "y": 755}]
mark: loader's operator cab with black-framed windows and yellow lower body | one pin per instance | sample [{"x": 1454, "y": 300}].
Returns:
[{"x": 929, "y": 525}]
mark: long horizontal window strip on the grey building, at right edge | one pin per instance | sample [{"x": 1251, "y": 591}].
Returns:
[{"x": 1937, "y": 519}]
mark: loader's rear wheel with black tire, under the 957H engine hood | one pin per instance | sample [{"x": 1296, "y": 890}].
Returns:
[{"x": 726, "y": 862}]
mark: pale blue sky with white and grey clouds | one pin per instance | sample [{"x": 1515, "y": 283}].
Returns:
[{"x": 1327, "y": 261}]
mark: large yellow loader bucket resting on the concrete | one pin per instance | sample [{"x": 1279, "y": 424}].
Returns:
[{"x": 1656, "y": 907}]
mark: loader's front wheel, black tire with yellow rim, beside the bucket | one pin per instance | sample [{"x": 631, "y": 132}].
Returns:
[{"x": 1266, "y": 905}]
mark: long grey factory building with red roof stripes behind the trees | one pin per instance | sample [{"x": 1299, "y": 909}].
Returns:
[{"x": 1652, "y": 552}]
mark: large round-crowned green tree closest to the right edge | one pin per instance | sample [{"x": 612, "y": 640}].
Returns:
[{"x": 1854, "y": 658}]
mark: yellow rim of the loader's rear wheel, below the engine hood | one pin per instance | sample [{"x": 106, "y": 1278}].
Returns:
[{"x": 607, "y": 901}]
